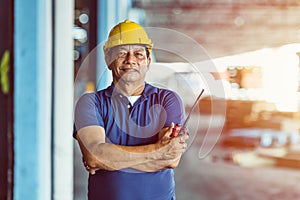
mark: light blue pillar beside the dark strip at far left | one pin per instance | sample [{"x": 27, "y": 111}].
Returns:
[{"x": 32, "y": 99}]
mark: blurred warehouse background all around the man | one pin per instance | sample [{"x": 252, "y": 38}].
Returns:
[{"x": 244, "y": 141}]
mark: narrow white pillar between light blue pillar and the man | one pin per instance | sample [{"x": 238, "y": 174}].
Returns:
[{"x": 63, "y": 100}]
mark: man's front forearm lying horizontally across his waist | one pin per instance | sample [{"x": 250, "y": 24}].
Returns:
[{"x": 145, "y": 158}]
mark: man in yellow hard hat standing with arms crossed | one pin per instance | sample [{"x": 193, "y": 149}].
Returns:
[{"x": 125, "y": 131}]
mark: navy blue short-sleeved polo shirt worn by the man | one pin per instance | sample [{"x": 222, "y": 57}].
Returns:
[{"x": 130, "y": 125}]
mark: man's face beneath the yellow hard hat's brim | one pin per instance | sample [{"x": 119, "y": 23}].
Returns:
[{"x": 128, "y": 63}]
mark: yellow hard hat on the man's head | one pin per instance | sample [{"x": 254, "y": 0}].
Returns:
[{"x": 127, "y": 32}]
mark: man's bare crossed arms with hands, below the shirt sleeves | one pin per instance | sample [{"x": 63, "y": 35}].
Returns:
[{"x": 153, "y": 157}]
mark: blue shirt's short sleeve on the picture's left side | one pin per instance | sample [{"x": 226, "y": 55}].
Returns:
[{"x": 87, "y": 112}]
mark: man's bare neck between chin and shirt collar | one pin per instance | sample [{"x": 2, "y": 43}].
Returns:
[{"x": 129, "y": 89}]
